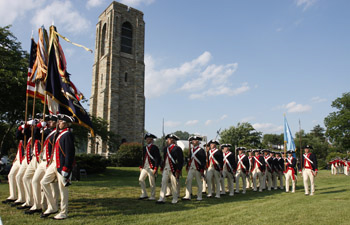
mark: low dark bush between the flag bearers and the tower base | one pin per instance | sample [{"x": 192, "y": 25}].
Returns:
[{"x": 91, "y": 163}]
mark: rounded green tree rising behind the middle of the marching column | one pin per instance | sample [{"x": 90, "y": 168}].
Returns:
[{"x": 242, "y": 135}]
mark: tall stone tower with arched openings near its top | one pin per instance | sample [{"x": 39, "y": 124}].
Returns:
[{"x": 117, "y": 93}]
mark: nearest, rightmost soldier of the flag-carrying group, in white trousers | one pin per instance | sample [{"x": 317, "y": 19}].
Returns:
[{"x": 60, "y": 168}]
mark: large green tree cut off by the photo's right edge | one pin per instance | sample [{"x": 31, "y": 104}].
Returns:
[{"x": 338, "y": 123}]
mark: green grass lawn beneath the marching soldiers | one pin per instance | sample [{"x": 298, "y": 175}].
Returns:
[{"x": 111, "y": 198}]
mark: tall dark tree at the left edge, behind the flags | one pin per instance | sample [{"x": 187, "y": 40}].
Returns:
[{"x": 13, "y": 71}]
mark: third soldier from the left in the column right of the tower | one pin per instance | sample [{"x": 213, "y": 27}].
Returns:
[{"x": 195, "y": 168}]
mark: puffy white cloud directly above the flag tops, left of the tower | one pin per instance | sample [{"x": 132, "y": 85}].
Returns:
[{"x": 64, "y": 15}]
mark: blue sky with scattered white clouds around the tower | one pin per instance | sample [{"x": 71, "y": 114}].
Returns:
[{"x": 212, "y": 64}]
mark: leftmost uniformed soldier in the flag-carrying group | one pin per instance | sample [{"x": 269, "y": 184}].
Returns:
[{"x": 18, "y": 197}]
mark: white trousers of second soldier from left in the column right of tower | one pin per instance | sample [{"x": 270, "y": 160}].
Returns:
[{"x": 166, "y": 176}]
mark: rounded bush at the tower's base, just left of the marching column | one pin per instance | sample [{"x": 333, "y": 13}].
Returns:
[{"x": 128, "y": 154}]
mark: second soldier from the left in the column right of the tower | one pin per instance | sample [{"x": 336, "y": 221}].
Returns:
[{"x": 172, "y": 166}]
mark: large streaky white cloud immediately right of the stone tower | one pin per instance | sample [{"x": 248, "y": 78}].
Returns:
[{"x": 198, "y": 78}]
